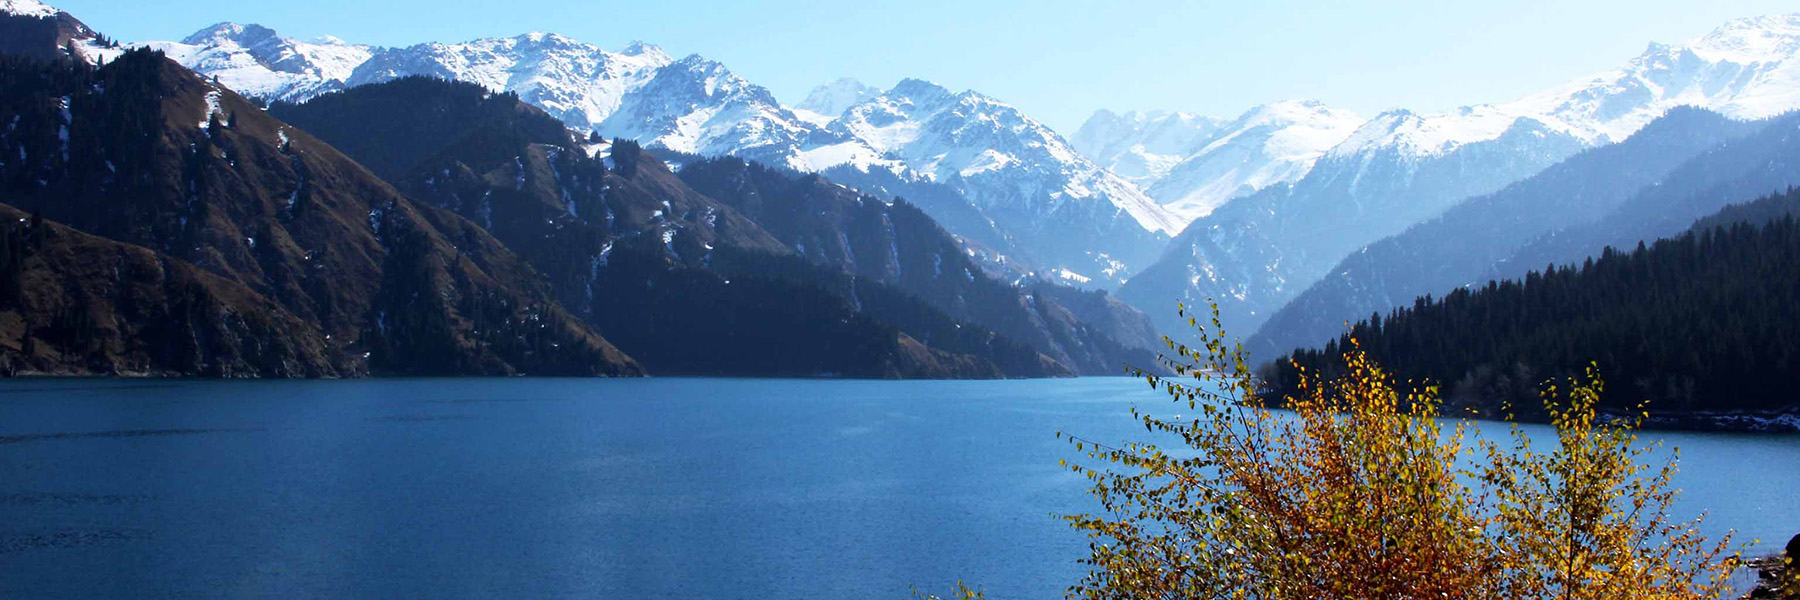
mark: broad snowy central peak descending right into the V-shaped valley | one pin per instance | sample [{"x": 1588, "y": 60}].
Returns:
[{"x": 1075, "y": 219}]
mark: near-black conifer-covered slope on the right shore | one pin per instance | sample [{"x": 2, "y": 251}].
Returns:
[{"x": 1702, "y": 322}]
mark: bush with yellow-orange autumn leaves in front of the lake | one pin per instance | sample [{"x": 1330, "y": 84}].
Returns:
[{"x": 1358, "y": 487}]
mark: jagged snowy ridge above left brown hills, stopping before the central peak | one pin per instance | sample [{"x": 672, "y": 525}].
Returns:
[{"x": 688, "y": 105}]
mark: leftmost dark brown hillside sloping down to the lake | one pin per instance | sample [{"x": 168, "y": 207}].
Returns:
[{"x": 150, "y": 156}]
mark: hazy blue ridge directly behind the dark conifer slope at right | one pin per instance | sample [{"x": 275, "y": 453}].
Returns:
[{"x": 1655, "y": 185}]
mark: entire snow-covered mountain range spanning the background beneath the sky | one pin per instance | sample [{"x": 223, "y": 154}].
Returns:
[{"x": 1275, "y": 197}]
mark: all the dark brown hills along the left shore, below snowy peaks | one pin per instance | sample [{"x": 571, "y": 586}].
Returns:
[{"x": 440, "y": 228}]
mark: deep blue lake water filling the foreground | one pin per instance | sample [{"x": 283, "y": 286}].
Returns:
[{"x": 604, "y": 489}]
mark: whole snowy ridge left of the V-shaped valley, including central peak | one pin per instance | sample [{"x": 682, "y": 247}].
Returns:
[{"x": 1065, "y": 212}]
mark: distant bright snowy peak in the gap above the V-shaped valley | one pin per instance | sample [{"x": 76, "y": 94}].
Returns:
[{"x": 1192, "y": 165}]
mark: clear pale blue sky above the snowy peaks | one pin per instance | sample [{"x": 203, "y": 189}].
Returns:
[{"x": 1056, "y": 60}]
